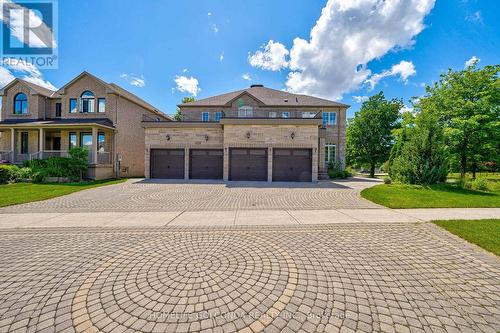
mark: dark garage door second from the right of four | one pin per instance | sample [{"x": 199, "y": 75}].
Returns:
[{"x": 248, "y": 164}]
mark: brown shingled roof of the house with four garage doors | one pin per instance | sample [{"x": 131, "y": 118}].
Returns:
[{"x": 268, "y": 96}]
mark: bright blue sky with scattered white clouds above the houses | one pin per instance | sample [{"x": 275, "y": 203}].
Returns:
[{"x": 343, "y": 50}]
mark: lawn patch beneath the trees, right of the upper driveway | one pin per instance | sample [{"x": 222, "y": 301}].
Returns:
[{"x": 434, "y": 196}]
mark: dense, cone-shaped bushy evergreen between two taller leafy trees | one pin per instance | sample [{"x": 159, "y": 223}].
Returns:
[{"x": 419, "y": 156}]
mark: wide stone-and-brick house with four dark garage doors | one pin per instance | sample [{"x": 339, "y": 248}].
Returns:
[{"x": 256, "y": 134}]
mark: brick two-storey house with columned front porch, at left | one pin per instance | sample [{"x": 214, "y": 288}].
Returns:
[{"x": 36, "y": 122}]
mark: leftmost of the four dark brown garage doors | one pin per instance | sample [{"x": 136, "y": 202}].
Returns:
[{"x": 167, "y": 163}]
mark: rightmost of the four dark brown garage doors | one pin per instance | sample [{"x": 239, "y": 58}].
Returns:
[{"x": 292, "y": 165}]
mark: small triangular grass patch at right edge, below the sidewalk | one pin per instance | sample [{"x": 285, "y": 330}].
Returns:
[{"x": 483, "y": 233}]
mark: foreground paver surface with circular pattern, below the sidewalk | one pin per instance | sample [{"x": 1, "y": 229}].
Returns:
[{"x": 353, "y": 277}]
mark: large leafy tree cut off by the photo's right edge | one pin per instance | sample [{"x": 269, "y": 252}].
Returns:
[{"x": 468, "y": 105}]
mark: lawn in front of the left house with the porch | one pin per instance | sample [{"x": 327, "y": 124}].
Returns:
[{"x": 18, "y": 193}]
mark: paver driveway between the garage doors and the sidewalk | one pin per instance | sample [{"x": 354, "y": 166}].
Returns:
[{"x": 152, "y": 195}]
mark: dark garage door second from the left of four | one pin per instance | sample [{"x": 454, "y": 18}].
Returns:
[{"x": 206, "y": 163}]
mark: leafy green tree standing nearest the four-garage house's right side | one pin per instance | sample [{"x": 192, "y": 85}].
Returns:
[{"x": 370, "y": 134}]
